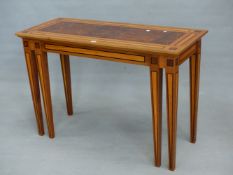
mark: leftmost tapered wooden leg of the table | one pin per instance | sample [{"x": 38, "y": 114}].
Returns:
[{"x": 35, "y": 90}]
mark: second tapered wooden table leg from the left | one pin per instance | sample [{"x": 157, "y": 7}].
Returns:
[{"x": 42, "y": 63}]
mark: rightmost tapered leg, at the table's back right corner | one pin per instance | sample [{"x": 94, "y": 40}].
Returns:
[{"x": 194, "y": 63}]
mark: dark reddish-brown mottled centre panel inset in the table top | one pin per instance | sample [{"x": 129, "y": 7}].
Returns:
[{"x": 115, "y": 32}]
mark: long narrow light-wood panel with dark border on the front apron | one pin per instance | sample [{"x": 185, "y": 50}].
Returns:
[{"x": 96, "y": 53}]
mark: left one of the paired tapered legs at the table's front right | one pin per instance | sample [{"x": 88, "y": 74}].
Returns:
[{"x": 156, "y": 77}]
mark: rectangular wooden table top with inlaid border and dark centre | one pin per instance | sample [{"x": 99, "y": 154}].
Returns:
[{"x": 114, "y": 35}]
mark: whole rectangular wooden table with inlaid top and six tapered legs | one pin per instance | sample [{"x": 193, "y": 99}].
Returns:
[{"x": 154, "y": 46}]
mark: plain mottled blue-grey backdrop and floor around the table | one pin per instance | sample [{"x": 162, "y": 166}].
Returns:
[{"x": 111, "y": 131}]
